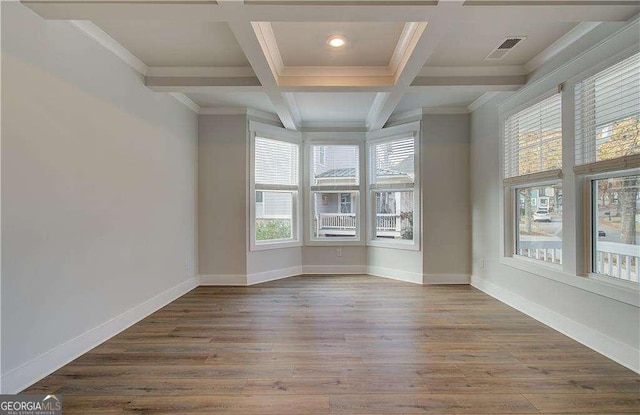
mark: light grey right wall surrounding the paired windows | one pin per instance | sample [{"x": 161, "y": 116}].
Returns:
[{"x": 596, "y": 314}]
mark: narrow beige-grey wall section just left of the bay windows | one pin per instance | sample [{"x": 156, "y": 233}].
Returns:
[{"x": 222, "y": 210}]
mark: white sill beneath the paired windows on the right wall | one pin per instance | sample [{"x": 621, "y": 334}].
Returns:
[{"x": 628, "y": 295}]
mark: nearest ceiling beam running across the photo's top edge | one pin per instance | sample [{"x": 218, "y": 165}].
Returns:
[{"x": 210, "y": 11}]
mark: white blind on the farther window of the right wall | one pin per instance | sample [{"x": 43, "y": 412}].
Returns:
[{"x": 533, "y": 139}]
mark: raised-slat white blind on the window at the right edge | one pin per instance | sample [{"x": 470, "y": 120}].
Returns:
[{"x": 607, "y": 107}]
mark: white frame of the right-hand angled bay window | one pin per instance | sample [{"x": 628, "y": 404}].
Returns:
[{"x": 404, "y": 131}]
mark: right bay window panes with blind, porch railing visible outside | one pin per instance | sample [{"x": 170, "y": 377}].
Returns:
[{"x": 393, "y": 192}]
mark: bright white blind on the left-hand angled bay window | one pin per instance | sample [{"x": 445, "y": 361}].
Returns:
[{"x": 276, "y": 162}]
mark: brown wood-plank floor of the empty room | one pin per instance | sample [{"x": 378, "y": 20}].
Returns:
[{"x": 343, "y": 345}]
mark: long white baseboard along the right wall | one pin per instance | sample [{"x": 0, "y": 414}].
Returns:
[{"x": 601, "y": 343}]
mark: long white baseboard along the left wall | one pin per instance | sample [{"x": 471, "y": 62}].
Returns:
[{"x": 23, "y": 376}]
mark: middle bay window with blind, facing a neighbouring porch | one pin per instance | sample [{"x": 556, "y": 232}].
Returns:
[{"x": 334, "y": 192}]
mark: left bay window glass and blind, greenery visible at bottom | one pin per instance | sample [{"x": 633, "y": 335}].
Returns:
[{"x": 275, "y": 181}]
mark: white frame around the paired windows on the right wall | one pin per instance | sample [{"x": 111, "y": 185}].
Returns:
[{"x": 577, "y": 231}]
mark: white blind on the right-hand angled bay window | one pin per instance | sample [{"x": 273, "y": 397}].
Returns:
[{"x": 392, "y": 162}]
